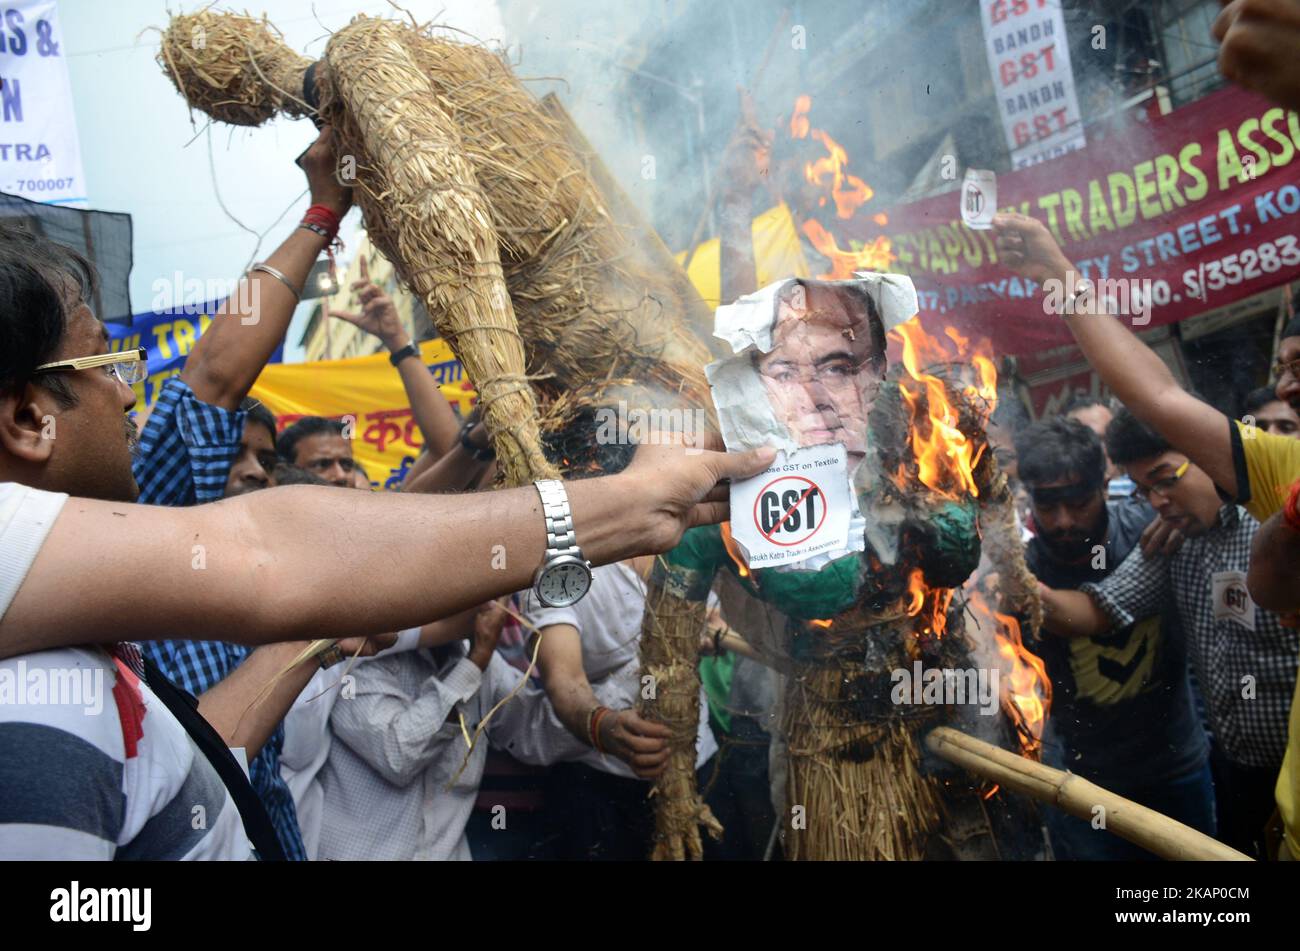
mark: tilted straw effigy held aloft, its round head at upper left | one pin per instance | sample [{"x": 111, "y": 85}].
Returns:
[{"x": 590, "y": 298}]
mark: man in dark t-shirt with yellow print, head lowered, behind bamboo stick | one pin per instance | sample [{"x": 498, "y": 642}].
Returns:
[{"x": 1123, "y": 711}]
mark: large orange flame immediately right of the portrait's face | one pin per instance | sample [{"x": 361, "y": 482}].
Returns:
[{"x": 946, "y": 457}]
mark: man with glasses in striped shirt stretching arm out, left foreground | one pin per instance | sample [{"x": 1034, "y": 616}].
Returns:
[{"x": 124, "y": 767}]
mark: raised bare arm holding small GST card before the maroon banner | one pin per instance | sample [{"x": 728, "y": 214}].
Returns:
[{"x": 1132, "y": 370}]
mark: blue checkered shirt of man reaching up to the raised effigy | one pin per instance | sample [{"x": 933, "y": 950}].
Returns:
[{"x": 187, "y": 451}]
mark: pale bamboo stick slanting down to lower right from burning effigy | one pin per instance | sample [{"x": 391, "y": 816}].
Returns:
[{"x": 1124, "y": 818}]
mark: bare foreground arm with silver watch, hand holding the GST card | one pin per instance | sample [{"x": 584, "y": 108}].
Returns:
[{"x": 285, "y": 568}]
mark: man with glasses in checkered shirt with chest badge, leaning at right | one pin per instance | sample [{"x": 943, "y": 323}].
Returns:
[{"x": 1243, "y": 657}]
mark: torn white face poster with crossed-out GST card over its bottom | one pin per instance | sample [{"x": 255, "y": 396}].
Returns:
[{"x": 809, "y": 359}]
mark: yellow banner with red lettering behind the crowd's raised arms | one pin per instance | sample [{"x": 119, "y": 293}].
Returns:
[{"x": 366, "y": 392}]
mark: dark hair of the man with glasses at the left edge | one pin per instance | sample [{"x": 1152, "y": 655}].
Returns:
[{"x": 34, "y": 284}]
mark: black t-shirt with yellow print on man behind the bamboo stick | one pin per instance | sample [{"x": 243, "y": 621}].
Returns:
[{"x": 1123, "y": 710}]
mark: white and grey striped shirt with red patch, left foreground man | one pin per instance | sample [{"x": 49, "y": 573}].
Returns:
[{"x": 93, "y": 766}]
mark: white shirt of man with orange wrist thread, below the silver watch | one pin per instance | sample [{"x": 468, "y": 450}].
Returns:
[{"x": 609, "y": 623}]
